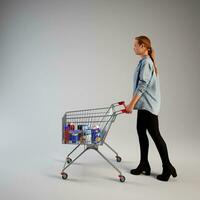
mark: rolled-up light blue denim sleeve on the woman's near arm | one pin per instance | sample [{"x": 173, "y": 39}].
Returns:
[{"x": 144, "y": 78}]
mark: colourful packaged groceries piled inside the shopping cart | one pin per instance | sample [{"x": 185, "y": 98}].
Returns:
[{"x": 82, "y": 134}]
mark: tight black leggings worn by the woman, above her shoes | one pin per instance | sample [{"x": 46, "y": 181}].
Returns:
[{"x": 148, "y": 121}]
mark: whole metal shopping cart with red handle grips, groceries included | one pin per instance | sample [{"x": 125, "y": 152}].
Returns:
[{"x": 90, "y": 128}]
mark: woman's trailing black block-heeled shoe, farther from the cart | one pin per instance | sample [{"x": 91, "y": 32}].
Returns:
[{"x": 167, "y": 172}]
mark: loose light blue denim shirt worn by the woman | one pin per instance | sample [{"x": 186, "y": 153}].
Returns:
[{"x": 146, "y": 85}]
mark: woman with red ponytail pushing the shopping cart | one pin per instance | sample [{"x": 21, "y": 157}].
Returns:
[{"x": 146, "y": 99}]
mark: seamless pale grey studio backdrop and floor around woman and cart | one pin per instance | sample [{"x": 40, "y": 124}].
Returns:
[{"x": 57, "y": 56}]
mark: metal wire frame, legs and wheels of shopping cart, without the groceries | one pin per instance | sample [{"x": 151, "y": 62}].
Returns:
[{"x": 104, "y": 117}]
